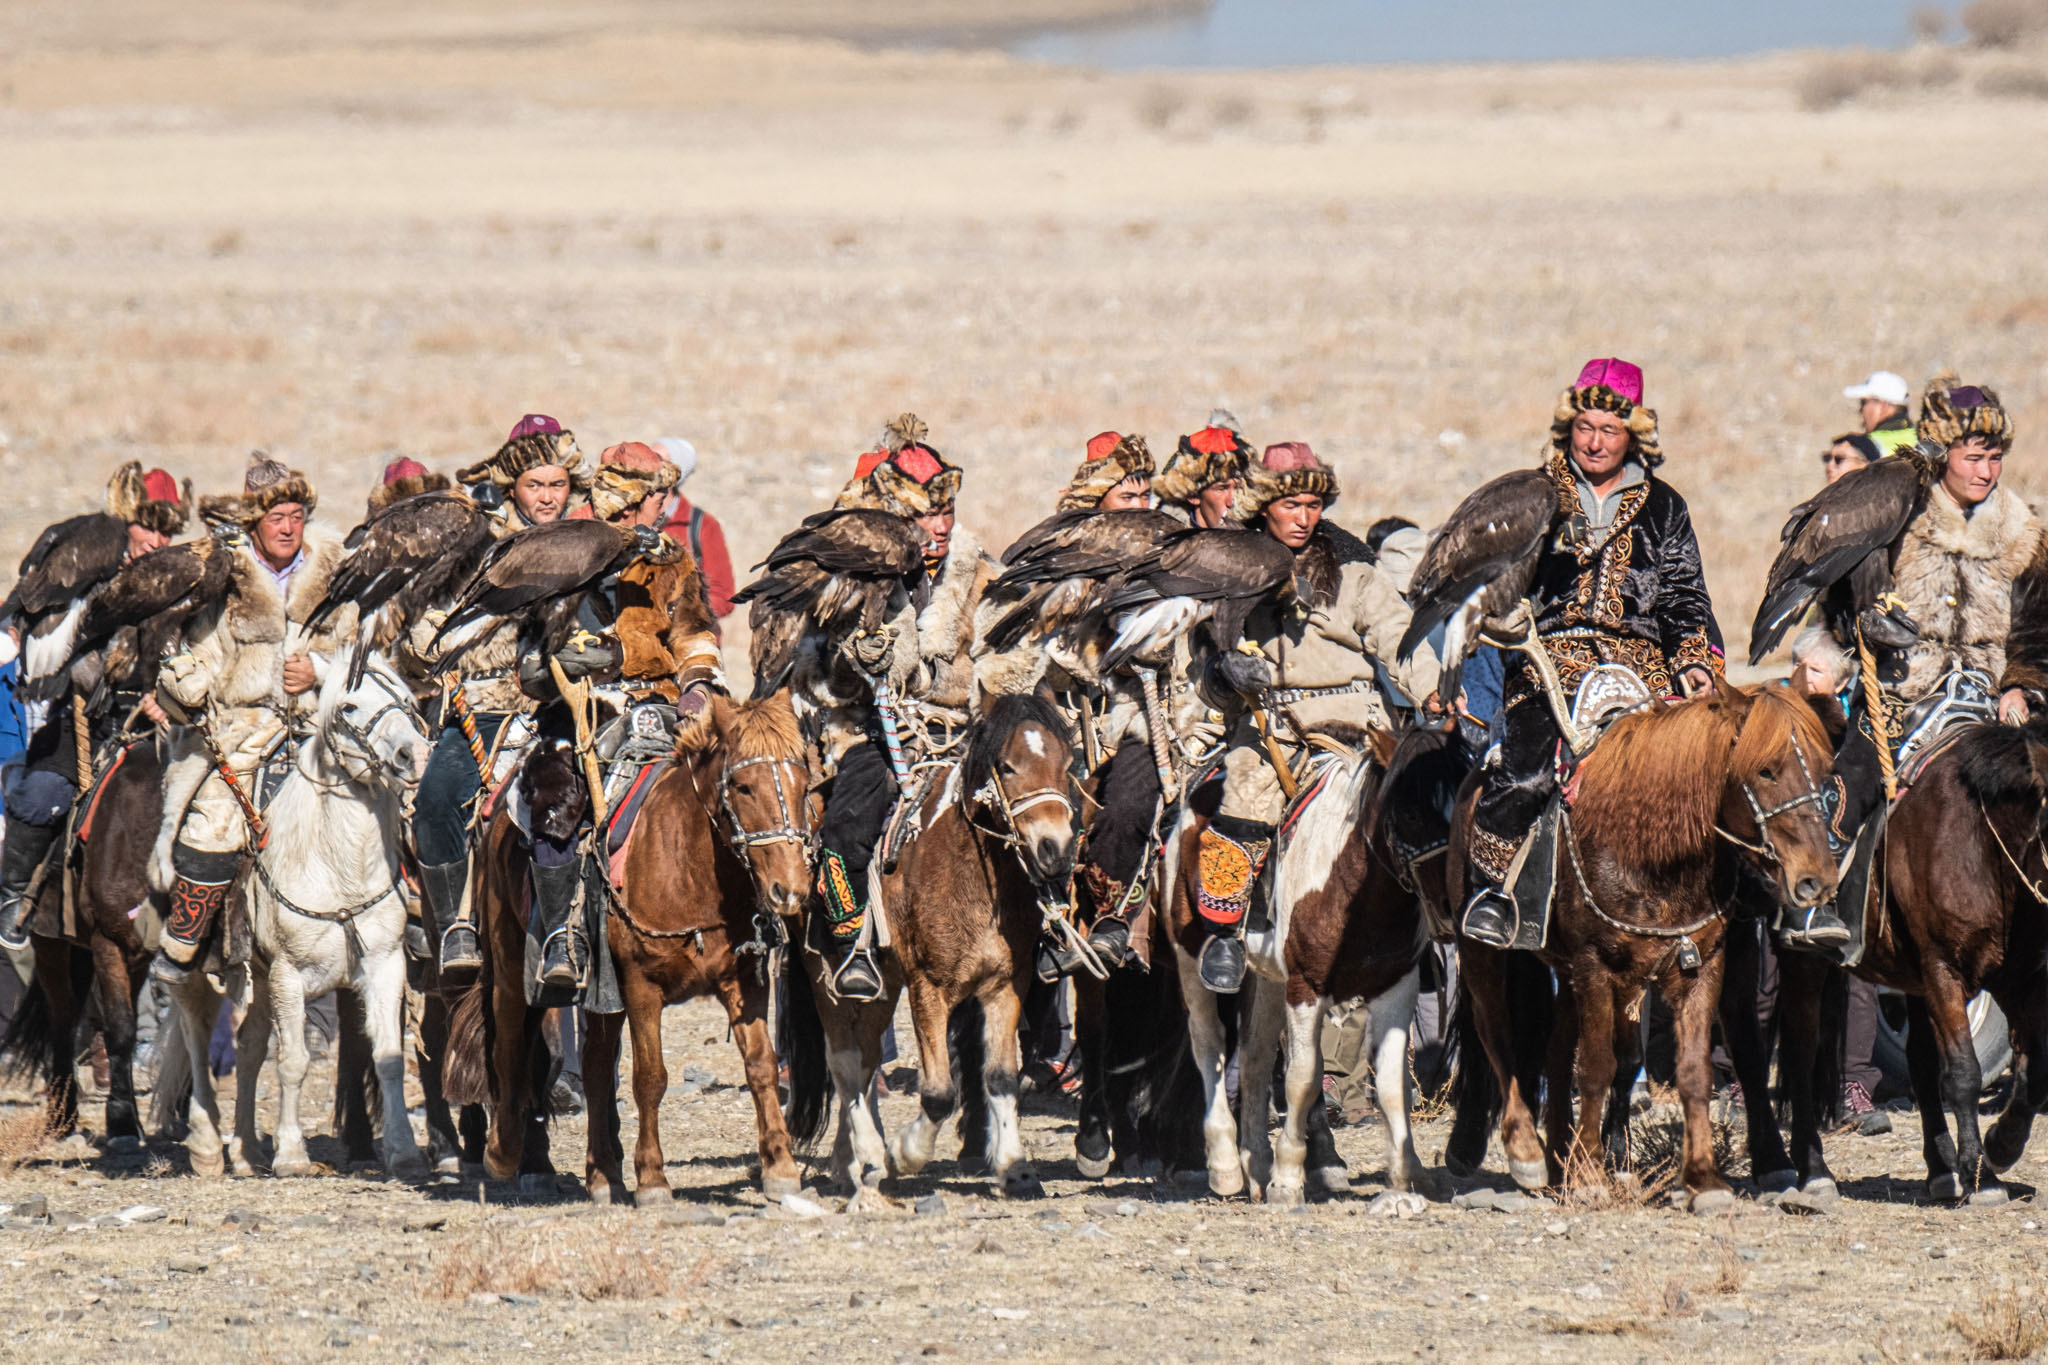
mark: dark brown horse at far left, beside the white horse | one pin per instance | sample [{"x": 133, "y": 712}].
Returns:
[{"x": 108, "y": 963}]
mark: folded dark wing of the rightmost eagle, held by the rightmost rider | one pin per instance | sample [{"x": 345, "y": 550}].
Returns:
[{"x": 1832, "y": 535}]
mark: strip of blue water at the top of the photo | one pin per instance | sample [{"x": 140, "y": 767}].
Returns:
[{"x": 1258, "y": 34}]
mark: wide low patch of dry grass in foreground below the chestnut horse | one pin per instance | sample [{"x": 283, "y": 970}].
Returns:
[{"x": 591, "y": 1260}]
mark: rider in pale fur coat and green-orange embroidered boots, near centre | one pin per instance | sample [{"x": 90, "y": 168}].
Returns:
[{"x": 916, "y": 693}]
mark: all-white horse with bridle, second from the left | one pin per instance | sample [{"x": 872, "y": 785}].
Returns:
[{"x": 325, "y": 914}]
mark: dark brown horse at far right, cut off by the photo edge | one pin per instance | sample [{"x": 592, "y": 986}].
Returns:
[{"x": 1955, "y": 908}]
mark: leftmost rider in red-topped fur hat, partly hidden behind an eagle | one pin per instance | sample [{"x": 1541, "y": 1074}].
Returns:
[{"x": 42, "y": 787}]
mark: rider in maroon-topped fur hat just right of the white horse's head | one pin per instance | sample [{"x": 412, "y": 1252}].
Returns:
[{"x": 531, "y": 480}]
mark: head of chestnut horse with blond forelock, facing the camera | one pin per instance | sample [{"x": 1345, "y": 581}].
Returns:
[{"x": 765, "y": 797}]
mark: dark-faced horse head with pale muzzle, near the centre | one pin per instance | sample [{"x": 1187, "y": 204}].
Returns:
[{"x": 1019, "y": 770}]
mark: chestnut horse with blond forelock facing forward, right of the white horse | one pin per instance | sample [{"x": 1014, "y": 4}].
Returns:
[{"x": 716, "y": 873}]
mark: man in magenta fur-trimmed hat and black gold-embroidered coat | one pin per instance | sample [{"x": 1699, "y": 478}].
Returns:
[{"x": 1619, "y": 582}]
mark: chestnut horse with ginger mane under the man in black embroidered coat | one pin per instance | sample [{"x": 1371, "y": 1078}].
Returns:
[{"x": 1666, "y": 797}]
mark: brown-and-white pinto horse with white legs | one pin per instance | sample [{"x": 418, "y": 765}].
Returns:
[{"x": 1342, "y": 928}]
